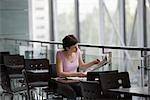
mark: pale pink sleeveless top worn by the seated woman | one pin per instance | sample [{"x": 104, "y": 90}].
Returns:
[{"x": 69, "y": 66}]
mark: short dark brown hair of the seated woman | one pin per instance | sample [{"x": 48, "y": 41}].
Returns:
[{"x": 68, "y": 41}]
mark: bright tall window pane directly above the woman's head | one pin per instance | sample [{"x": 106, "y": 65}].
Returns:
[{"x": 65, "y": 18}]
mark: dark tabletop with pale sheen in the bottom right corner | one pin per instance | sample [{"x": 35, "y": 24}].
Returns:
[{"x": 135, "y": 91}]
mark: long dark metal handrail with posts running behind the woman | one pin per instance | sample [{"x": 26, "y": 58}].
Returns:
[{"x": 141, "y": 49}]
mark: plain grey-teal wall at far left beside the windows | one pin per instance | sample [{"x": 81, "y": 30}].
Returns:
[{"x": 14, "y": 20}]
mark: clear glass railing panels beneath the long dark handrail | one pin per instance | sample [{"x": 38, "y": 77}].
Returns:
[{"x": 135, "y": 60}]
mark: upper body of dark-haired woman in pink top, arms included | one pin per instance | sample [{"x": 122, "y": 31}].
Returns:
[{"x": 69, "y": 59}]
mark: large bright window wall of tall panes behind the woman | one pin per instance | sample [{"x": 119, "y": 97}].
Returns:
[{"x": 101, "y": 22}]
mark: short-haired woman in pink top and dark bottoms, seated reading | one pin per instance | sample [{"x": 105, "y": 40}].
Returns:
[{"x": 67, "y": 63}]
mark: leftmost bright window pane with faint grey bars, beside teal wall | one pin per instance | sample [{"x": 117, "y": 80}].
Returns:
[{"x": 40, "y": 20}]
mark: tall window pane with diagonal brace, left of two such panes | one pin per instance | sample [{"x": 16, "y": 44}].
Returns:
[{"x": 111, "y": 23}]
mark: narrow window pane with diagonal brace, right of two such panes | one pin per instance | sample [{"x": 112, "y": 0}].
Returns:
[{"x": 131, "y": 28}]
